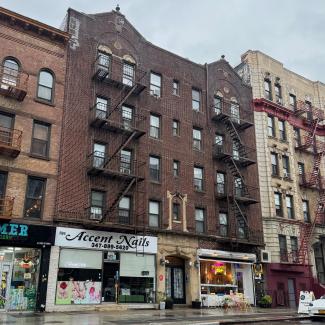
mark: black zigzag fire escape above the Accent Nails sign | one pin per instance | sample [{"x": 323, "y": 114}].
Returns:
[{"x": 124, "y": 123}]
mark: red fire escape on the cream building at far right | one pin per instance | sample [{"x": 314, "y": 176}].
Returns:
[{"x": 313, "y": 179}]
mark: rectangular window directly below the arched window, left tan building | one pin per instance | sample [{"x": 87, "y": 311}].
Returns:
[{"x": 41, "y": 139}]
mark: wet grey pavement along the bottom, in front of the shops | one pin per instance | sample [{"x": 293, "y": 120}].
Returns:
[{"x": 181, "y": 316}]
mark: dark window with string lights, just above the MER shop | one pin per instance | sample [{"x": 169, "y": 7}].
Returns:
[{"x": 34, "y": 197}]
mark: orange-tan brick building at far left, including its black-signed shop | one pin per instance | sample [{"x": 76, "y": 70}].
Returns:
[{"x": 32, "y": 72}]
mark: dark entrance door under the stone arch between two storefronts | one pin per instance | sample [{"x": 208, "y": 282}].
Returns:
[{"x": 175, "y": 280}]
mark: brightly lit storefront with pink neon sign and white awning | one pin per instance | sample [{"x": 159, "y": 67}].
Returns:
[{"x": 225, "y": 274}]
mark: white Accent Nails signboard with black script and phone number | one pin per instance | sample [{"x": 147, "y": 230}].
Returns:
[{"x": 102, "y": 240}]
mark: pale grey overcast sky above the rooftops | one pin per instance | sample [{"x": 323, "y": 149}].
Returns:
[{"x": 291, "y": 31}]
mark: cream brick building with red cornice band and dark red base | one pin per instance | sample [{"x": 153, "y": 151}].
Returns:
[{"x": 289, "y": 114}]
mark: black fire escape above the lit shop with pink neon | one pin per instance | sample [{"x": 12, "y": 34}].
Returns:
[{"x": 237, "y": 156}]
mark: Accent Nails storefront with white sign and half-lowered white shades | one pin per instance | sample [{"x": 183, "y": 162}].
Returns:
[{"x": 95, "y": 267}]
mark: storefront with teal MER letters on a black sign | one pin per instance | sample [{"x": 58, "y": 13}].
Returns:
[{"x": 24, "y": 264}]
